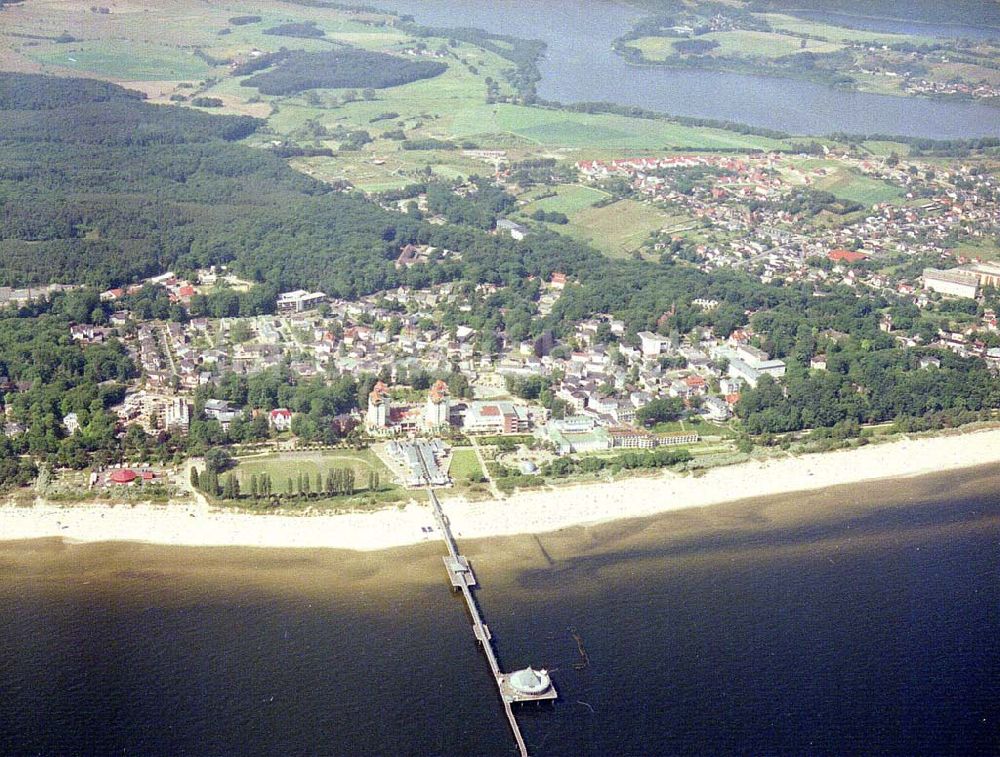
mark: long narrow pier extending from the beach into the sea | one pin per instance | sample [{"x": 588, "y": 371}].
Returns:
[{"x": 463, "y": 579}]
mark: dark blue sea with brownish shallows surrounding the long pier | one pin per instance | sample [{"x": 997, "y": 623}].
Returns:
[{"x": 809, "y": 625}]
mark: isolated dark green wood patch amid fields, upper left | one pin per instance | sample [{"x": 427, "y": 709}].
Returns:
[{"x": 299, "y": 71}]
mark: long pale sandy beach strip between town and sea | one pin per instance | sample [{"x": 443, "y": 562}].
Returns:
[{"x": 530, "y": 512}]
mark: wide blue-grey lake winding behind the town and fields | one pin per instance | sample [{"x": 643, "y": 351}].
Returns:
[{"x": 580, "y": 66}]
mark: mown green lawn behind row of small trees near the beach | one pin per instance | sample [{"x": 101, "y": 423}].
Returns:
[{"x": 289, "y": 464}]
